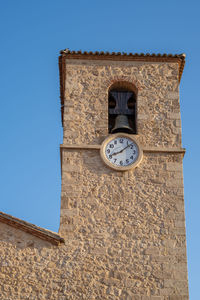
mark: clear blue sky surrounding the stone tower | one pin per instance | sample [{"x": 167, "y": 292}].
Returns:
[{"x": 32, "y": 33}]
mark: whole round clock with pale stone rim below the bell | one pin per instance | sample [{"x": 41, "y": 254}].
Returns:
[{"x": 121, "y": 152}]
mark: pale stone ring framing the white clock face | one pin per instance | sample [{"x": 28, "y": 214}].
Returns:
[{"x": 120, "y": 168}]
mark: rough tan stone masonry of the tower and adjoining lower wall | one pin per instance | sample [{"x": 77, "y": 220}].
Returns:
[{"x": 124, "y": 231}]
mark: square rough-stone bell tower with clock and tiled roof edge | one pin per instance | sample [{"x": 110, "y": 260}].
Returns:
[{"x": 122, "y": 202}]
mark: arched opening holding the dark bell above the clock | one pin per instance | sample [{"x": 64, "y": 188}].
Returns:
[{"x": 122, "y": 109}]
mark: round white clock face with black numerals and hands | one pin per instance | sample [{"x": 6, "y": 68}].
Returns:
[{"x": 121, "y": 151}]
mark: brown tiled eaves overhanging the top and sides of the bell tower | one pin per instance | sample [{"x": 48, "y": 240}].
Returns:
[{"x": 114, "y": 56}]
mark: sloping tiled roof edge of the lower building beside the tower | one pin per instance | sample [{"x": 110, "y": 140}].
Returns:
[{"x": 32, "y": 229}]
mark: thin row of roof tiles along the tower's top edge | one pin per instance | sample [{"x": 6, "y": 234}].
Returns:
[{"x": 80, "y": 52}]
